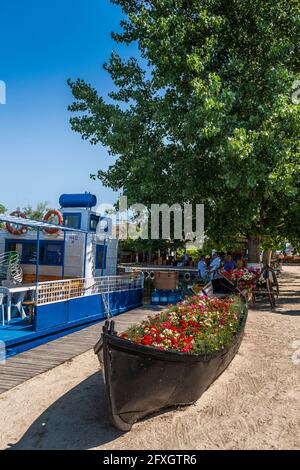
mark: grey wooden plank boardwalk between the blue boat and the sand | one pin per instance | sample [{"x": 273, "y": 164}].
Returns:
[{"x": 26, "y": 365}]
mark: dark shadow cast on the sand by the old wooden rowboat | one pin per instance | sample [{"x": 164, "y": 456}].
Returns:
[{"x": 78, "y": 420}]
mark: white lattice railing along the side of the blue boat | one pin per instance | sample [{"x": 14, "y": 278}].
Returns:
[{"x": 54, "y": 291}]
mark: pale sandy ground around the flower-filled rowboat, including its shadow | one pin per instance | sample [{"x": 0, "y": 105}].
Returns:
[{"x": 255, "y": 404}]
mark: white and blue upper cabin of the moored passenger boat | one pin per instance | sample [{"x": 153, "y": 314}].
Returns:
[{"x": 84, "y": 252}]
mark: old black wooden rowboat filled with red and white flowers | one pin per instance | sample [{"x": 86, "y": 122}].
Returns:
[{"x": 172, "y": 357}]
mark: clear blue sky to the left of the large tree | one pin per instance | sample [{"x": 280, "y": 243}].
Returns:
[{"x": 42, "y": 43}]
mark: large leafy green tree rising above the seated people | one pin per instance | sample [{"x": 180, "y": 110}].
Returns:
[{"x": 205, "y": 114}]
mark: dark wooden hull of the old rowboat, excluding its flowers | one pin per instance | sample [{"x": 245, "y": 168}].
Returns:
[{"x": 141, "y": 380}]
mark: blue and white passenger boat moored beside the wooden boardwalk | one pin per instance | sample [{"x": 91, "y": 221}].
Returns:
[{"x": 56, "y": 279}]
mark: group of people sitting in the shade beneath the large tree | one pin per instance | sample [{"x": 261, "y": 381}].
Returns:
[{"x": 206, "y": 271}]
